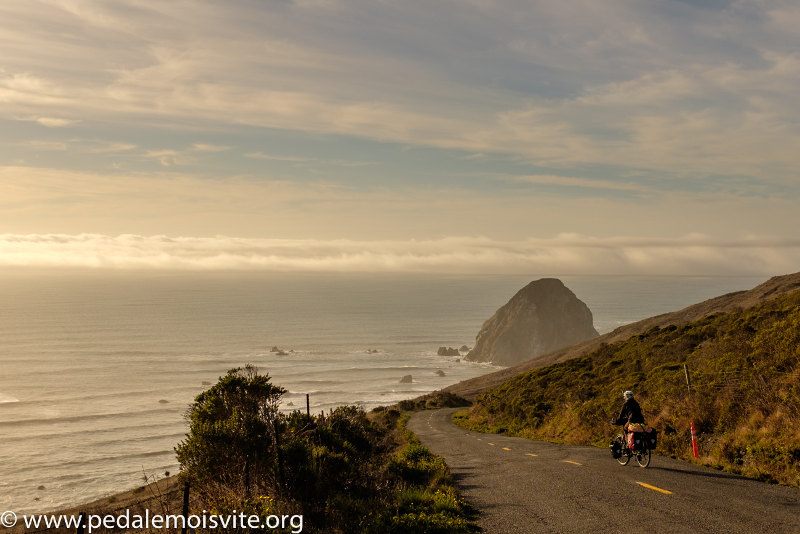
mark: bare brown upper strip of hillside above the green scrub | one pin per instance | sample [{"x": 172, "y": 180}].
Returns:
[{"x": 772, "y": 288}]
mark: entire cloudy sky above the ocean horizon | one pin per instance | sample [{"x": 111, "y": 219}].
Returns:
[{"x": 475, "y": 136}]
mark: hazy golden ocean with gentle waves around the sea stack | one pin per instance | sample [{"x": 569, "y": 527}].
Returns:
[{"x": 97, "y": 369}]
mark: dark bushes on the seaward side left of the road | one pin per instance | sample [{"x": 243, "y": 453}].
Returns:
[{"x": 344, "y": 471}]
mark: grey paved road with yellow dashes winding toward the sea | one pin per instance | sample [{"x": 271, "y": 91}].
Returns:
[{"x": 524, "y": 486}]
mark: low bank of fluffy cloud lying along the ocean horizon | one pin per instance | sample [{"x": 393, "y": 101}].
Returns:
[{"x": 564, "y": 254}]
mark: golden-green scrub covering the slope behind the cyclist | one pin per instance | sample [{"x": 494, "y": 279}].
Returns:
[{"x": 744, "y": 370}]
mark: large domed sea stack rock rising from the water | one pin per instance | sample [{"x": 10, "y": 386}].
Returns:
[{"x": 542, "y": 317}]
